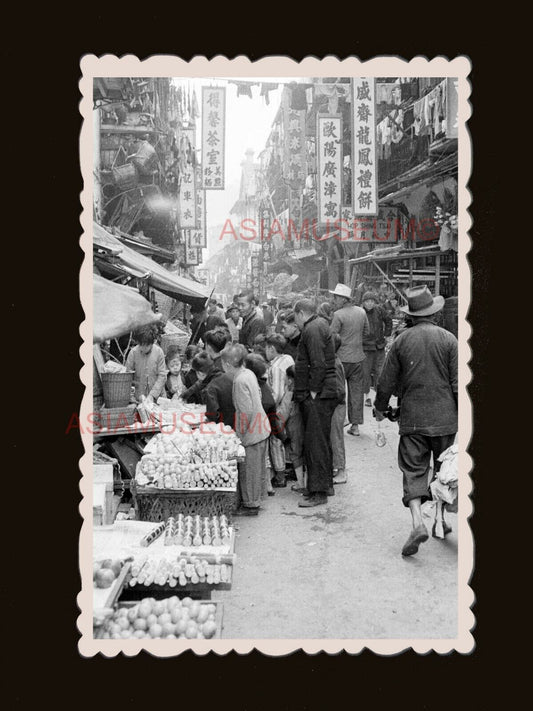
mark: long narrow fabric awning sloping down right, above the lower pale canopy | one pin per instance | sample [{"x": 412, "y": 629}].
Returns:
[{"x": 167, "y": 282}]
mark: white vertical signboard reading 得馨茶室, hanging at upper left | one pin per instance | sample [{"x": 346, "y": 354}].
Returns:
[{"x": 213, "y": 137}]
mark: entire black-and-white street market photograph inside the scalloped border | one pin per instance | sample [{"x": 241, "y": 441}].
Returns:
[{"x": 275, "y": 357}]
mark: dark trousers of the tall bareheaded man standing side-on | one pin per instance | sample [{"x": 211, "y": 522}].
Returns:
[{"x": 317, "y": 416}]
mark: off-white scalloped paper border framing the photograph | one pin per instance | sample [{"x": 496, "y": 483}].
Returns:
[{"x": 172, "y": 66}]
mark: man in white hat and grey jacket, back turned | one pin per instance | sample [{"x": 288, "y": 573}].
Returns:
[{"x": 351, "y": 323}]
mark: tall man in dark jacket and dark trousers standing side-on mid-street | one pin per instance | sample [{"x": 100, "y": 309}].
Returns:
[{"x": 315, "y": 389}]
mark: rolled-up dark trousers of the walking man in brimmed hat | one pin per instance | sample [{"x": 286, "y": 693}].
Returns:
[{"x": 414, "y": 456}]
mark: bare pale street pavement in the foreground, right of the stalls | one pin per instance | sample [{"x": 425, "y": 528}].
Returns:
[{"x": 336, "y": 571}]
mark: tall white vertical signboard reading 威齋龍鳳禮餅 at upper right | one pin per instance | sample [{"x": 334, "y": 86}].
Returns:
[{"x": 364, "y": 163}]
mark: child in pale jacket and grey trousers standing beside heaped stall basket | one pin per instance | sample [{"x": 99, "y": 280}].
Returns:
[{"x": 251, "y": 426}]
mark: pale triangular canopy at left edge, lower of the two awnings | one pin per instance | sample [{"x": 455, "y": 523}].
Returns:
[{"x": 118, "y": 310}]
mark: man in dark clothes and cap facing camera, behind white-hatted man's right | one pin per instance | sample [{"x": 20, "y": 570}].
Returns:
[{"x": 380, "y": 324}]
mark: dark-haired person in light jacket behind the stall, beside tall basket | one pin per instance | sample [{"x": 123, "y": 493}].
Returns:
[{"x": 147, "y": 361}]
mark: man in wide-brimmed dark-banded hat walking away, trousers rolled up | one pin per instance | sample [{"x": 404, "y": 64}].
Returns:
[{"x": 421, "y": 368}]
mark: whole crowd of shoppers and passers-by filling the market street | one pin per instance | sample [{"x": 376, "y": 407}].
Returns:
[{"x": 286, "y": 375}]
